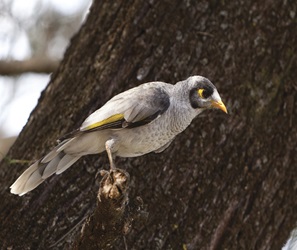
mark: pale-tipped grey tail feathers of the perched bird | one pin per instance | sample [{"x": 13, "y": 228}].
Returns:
[{"x": 57, "y": 161}]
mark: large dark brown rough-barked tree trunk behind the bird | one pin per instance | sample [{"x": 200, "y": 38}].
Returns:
[{"x": 227, "y": 182}]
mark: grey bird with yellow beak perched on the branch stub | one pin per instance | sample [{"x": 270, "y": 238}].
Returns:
[{"x": 138, "y": 121}]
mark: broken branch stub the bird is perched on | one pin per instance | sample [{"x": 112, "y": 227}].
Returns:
[{"x": 114, "y": 214}]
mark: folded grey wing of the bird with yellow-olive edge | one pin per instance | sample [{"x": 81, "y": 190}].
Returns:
[{"x": 132, "y": 108}]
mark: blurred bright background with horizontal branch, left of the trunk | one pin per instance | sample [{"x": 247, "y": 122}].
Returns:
[{"x": 33, "y": 37}]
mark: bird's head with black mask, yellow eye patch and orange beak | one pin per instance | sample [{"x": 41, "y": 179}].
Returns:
[{"x": 203, "y": 94}]
